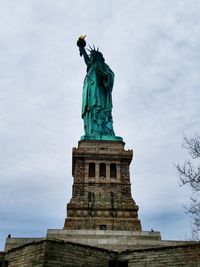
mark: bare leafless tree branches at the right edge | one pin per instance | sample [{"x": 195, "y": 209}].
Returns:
[{"x": 189, "y": 174}]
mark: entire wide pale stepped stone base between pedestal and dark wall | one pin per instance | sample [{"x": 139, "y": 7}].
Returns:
[{"x": 106, "y": 239}]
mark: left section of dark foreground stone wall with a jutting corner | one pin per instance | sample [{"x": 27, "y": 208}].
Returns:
[{"x": 50, "y": 253}]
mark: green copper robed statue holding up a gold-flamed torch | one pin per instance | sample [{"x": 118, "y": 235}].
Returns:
[{"x": 97, "y": 94}]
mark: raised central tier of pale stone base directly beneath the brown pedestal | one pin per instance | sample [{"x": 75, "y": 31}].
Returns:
[{"x": 114, "y": 240}]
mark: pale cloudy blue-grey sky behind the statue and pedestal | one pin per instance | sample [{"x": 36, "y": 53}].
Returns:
[{"x": 153, "y": 47}]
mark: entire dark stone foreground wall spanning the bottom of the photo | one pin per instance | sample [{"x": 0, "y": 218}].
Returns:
[{"x": 51, "y": 253}]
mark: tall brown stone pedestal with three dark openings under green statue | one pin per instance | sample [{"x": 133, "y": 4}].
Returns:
[{"x": 101, "y": 195}]
